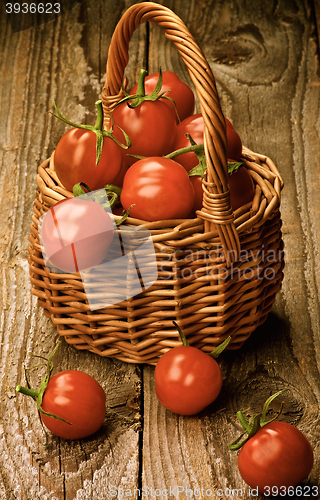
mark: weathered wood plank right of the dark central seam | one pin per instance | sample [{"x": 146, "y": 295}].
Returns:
[{"x": 265, "y": 58}]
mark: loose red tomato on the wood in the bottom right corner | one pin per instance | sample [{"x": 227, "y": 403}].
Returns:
[{"x": 278, "y": 455}]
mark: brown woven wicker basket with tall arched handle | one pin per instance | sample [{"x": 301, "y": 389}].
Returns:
[{"x": 234, "y": 261}]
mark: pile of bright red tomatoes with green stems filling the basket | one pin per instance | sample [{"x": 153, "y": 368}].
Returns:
[{"x": 139, "y": 154}]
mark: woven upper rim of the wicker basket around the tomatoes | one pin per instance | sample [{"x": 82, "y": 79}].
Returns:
[{"x": 183, "y": 232}]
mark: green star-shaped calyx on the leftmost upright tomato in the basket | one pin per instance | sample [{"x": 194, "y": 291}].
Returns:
[{"x": 97, "y": 129}]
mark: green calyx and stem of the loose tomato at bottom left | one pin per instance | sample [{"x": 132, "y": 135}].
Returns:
[{"x": 37, "y": 394}]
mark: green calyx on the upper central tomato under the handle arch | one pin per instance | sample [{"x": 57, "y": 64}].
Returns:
[{"x": 134, "y": 100}]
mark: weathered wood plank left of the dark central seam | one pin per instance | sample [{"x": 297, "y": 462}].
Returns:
[{"x": 65, "y": 59}]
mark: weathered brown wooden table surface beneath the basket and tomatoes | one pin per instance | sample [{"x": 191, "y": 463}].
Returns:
[{"x": 265, "y": 58}]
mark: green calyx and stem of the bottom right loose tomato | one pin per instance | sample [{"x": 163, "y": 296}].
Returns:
[{"x": 256, "y": 422}]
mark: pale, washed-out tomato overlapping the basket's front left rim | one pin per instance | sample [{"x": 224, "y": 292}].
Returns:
[{"x": 76, "y": 234}]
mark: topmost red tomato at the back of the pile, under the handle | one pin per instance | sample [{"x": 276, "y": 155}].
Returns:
[{"x": 180, "y": 92}]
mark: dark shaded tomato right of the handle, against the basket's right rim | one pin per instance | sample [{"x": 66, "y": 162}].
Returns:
[{"x": 241, "y": 188}]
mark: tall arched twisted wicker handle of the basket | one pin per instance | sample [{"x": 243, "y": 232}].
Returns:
[{"x": 216, "y": 211}]
